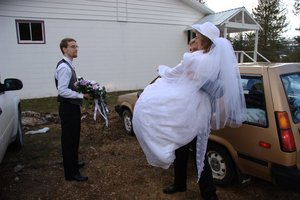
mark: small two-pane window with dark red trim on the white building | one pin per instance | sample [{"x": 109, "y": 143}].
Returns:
[{"x": 30, "y": 32}]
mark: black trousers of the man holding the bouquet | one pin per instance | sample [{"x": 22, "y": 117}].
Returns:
[{"x": 70, "y": 116}]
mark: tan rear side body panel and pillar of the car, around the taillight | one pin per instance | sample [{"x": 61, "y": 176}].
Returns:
[{"x": 244, "y": 146}]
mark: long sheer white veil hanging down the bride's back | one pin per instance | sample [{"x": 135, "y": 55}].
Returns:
[{"x": 230, "y": 109}]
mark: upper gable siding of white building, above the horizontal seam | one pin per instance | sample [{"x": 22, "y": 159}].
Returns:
[{"x": 147, "y": 11}]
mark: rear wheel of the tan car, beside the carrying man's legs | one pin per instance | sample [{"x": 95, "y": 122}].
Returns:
[{"x": 221, "y": 165}]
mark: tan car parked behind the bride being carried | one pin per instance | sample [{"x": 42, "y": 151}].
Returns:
[{"x": 267, "y": 145}]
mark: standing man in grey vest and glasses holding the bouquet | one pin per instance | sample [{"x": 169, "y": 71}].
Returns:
[{"x": 69, "y": 110}]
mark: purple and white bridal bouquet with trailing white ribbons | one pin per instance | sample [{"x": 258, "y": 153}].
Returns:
[{"x": 97, "y": 92}]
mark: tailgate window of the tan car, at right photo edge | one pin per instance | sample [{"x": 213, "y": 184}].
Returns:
[{"x": 291, "y": 85}]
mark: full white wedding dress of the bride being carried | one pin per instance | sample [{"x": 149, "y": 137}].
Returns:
[{"x": 174, "y": 110}]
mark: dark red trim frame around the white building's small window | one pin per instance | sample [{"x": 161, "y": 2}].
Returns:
[{"x": 43, "y": 41}]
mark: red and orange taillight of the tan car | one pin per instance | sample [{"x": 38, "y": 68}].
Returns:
[{"x": 285, "y": 133}]
